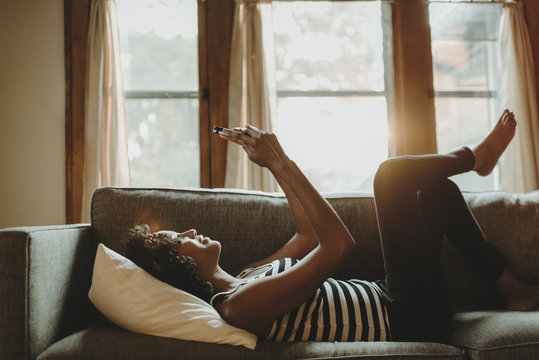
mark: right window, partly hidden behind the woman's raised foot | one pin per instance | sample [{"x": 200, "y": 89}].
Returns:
[{"x": 465, "y": 64}]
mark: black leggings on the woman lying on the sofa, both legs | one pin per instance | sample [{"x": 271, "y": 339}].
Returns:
[{"x": 416, "y": 204}]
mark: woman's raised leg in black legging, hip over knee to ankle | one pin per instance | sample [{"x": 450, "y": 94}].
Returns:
[{"x": 411, "y": 246}]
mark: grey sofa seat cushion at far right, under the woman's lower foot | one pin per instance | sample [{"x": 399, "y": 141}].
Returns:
[{"x": 498, "y": 334}]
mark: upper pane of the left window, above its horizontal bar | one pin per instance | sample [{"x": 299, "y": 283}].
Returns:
[{"x": 159, "y": 44}]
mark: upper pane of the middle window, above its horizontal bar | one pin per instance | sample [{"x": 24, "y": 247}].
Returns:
[{"x": 328, "y": 45}]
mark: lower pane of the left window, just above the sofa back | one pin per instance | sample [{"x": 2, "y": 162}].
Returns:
[{"x": 163, "y": 151}]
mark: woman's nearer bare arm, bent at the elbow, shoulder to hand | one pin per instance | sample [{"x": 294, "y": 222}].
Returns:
[{"x": 256, "y": 305}]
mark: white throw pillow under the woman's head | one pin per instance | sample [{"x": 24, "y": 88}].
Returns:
[{"x": 136, "y": 301}]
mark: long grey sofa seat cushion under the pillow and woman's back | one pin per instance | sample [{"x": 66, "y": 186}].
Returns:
[{"x": 110, "y": 342}]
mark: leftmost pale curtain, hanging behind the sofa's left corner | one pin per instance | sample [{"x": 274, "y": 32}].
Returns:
[{"x": 105, "y": 144}]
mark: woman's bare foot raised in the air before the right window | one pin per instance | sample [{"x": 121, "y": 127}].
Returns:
[{"x": 488, "y": 151}]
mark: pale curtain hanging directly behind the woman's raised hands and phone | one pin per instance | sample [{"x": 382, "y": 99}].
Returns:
[{"x": 252, "y": 96}]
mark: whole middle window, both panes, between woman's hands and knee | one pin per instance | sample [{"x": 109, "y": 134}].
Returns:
[{"x": 332, "y": 89}]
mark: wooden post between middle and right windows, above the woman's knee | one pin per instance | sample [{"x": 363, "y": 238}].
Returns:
[{"x": 413, "y": 129}]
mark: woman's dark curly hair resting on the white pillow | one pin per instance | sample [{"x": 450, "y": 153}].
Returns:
[{"x": 156, "y": 254}]
